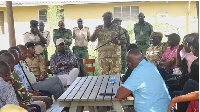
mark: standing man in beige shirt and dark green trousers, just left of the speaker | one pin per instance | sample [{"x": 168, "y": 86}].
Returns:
[{"x": 82, "y": 36}]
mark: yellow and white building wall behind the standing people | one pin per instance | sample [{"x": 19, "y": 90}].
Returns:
[{"x": 92, "y": 15}]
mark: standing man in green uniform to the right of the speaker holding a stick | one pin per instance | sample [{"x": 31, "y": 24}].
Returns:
[{"x": 142, "y": 31}]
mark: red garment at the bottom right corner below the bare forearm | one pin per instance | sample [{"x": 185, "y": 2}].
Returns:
[{"x": 193, "y": 106}]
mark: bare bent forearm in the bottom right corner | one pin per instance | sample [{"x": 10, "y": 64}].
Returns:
[{"x": 183, "y": 98}]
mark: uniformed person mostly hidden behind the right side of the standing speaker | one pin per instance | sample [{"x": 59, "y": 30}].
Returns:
[{"x": 117, "y": 21}]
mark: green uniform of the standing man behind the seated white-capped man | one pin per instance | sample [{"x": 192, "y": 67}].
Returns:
[{"x": 65, "y": 34}]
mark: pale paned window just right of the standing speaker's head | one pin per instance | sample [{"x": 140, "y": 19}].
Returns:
[{"x": 126, "y": 12}]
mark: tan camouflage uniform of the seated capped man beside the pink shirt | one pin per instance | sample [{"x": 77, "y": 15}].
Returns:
[{"x": 154, "y": 53}]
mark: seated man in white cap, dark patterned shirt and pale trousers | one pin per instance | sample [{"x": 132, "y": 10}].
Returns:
[{"x": 62, "y": 64}]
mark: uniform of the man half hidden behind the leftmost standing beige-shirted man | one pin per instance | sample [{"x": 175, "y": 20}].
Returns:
[{"x": 46, "y": 34}]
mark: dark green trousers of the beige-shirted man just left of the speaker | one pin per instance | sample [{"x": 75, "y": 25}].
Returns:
[{"x": 81, "y": 52}]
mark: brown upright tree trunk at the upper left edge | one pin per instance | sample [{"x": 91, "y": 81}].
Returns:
[{"x": 10, "y": 20}]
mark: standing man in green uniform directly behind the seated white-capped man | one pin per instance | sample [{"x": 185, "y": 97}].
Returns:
[{"x": 64, "y": 33}]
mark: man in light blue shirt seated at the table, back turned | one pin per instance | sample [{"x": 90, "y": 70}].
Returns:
[{"x": 145, "y": 82}]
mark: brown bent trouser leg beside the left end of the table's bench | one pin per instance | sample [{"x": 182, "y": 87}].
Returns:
[{"x": 45, "y": 99}]
